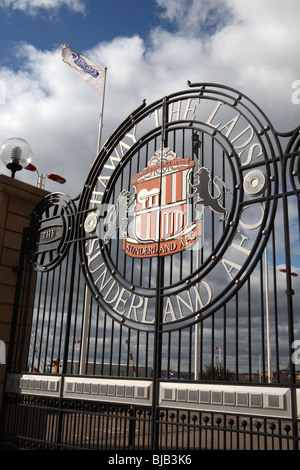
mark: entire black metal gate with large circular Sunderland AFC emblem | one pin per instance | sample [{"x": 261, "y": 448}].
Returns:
[{"x": 159, "y": 310}]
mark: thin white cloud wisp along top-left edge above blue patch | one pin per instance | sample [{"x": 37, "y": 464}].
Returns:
[{"x": 32, "y": 6}]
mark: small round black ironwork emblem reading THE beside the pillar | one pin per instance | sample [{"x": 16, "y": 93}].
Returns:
[{"x": 50, "y": 231}]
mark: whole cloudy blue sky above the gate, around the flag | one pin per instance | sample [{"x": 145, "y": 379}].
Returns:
[{"x": 151, "y": 48}]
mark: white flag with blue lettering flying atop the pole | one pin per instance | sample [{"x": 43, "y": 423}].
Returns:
[{"x": 85, "y": 68}]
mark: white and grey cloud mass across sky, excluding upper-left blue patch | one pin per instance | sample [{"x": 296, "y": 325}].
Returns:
[{"x": 251, "y": 46}]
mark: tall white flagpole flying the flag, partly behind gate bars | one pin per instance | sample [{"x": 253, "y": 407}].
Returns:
[{"x": 87, "y": 299}]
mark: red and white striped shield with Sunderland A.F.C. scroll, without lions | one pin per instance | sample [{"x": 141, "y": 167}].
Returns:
[{"x": 162, "y": 221}]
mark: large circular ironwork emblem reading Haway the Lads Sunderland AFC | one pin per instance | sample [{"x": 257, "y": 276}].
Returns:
[{"x": 178, "y": 206}]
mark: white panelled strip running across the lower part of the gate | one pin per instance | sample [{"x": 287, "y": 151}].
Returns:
[{"x": 248, "y": 400}]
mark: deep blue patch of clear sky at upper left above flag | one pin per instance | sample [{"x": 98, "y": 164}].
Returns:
[{"x": 99, "y": 20}]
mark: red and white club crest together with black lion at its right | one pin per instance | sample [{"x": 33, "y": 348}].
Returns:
[{"x": 163, "y": 221}]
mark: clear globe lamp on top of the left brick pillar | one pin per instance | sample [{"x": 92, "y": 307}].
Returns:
[{"x": 16, "y": 154}]
